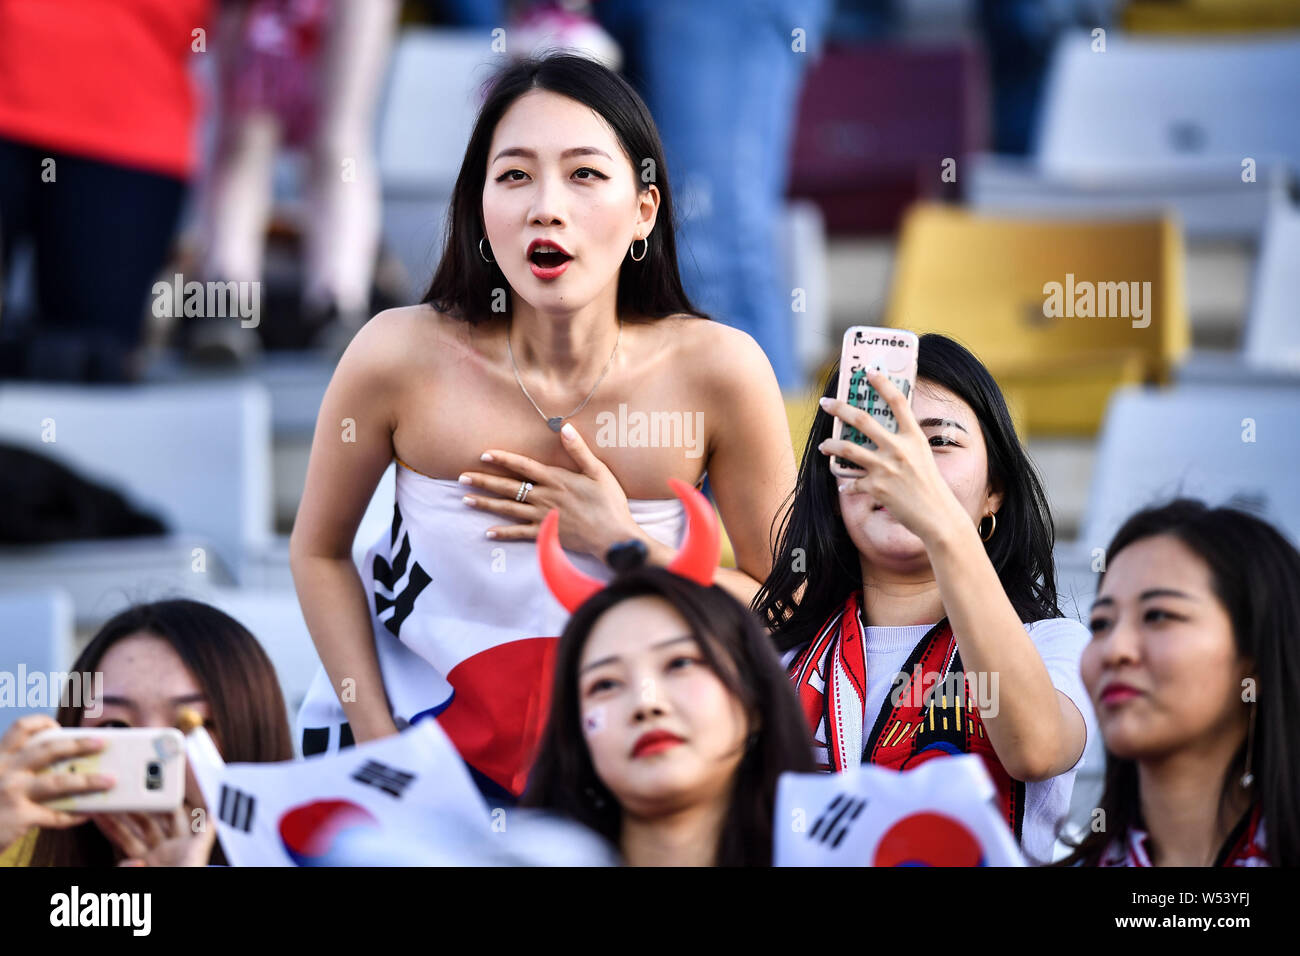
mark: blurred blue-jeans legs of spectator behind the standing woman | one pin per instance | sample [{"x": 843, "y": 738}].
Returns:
[{"x": 723, "y": 80}]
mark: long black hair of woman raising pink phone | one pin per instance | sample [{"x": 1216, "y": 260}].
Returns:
[{"x": 814, "y": 547}]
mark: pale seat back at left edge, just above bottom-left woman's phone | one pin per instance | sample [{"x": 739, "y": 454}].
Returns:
[{"x": 38, "y": 638}]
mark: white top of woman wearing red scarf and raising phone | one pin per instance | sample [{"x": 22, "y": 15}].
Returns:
[{"x": 1060, "y": 643}]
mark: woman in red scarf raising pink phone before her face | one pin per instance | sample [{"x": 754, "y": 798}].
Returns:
[{"x": 917, "y": 604}]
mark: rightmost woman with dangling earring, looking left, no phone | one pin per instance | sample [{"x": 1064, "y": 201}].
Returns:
[{"x": 1193, "y": 667}]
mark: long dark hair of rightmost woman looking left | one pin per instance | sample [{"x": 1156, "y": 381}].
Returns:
[{"x": 1256, "y": 577}]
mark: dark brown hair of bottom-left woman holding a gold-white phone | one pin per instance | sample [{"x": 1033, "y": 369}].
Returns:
[{"x": 249, "y": 721}]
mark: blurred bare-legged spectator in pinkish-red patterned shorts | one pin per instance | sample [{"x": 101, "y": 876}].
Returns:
[{"x": 300, "y": 75}]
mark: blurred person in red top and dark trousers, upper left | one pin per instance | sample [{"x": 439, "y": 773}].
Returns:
[{"x": 97, "y": 144}]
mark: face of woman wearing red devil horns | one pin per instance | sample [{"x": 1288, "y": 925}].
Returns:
[{"x": 662, "y": 729}]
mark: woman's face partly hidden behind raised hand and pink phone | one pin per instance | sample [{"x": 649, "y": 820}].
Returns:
[{"x": 957, "y": 444}]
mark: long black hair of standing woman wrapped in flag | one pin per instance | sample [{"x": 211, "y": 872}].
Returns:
[{"x": 463, "y": 284}]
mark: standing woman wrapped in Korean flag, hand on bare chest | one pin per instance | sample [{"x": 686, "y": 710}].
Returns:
[{"x": 557, "y": 302}]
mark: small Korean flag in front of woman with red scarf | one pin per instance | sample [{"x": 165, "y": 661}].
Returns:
[{"x": 938, "y": 815}]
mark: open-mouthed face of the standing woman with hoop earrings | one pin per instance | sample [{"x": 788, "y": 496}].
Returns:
[{"x": 556, "y": 171}]
